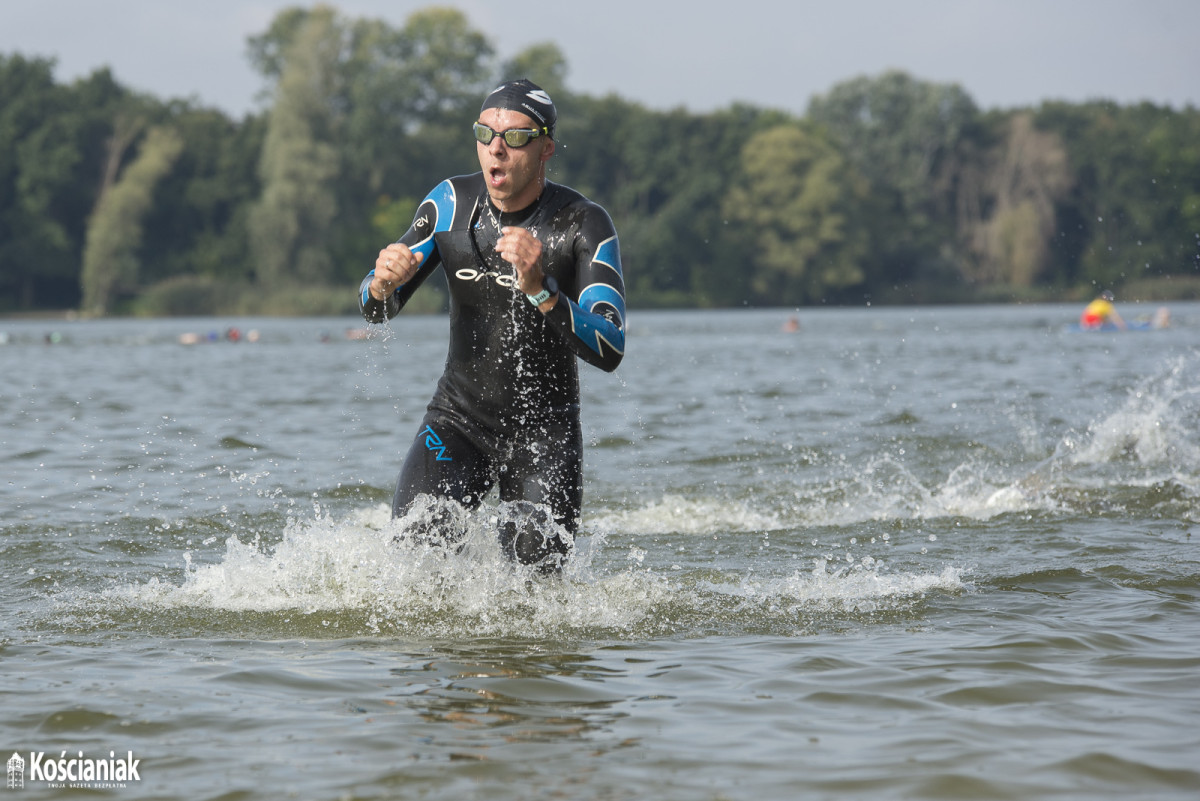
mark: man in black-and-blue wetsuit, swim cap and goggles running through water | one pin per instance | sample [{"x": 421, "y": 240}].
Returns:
[{"x": 536, "y": 282}]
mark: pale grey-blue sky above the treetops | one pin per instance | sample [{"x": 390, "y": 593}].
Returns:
[{"x": 699, "y": 55}]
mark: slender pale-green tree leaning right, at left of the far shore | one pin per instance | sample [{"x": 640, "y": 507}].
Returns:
[{"x": 111, "y": 262}]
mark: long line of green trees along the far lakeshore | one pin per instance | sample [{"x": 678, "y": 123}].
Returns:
[{"x": 889, "y": 189}]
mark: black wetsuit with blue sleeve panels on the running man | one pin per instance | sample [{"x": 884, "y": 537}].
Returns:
[{"x": 507, "y": 409}]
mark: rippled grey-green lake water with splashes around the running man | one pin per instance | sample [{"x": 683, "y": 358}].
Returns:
[{"x": 904, "y": 553}]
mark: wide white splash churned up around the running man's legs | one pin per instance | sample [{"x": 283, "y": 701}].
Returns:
[{"x": 352, "y": 576}]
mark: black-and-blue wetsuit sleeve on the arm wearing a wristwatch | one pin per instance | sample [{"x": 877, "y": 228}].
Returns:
[{"x": 593, "y": 323}]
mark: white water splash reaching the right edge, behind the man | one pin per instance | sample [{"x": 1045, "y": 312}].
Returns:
[{"x": 1142, "y": 454}]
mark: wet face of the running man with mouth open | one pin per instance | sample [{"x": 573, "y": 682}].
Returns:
[{"x": 514, "y": 176}]
